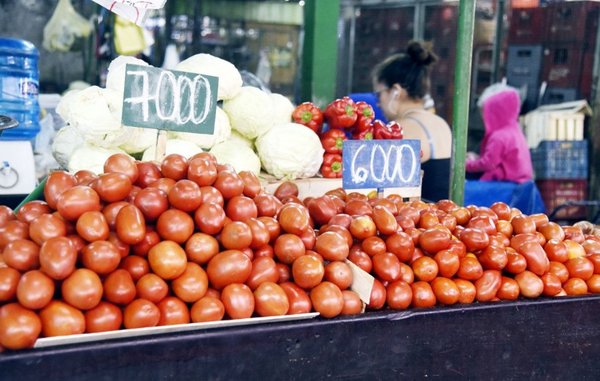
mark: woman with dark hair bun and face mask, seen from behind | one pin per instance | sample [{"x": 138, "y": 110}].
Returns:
[{"x": 401, "y": 83}]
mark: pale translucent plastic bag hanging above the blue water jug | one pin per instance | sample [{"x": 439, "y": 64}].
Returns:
[{"x": 64, "y": 27}]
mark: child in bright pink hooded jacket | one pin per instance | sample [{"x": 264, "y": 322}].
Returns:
[{"x": 504, "y": 154}]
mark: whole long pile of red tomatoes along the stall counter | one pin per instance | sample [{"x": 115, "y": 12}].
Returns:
[{"x": 180, "y": 241}]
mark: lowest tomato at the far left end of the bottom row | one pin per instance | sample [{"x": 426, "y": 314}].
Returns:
[{"x": 19, "y": 327}]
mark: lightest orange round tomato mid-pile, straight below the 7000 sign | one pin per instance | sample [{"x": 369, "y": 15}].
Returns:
[{"x": 167, "y": 259}]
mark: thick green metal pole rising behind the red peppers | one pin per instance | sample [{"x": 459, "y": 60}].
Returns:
[{"x": 319, "y": 57}]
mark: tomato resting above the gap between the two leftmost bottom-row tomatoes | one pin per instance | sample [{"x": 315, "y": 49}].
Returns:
[{"x": 35, "y": 290}]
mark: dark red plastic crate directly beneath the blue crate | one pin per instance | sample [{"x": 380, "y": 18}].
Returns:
[{"x": 558, "y": 192}]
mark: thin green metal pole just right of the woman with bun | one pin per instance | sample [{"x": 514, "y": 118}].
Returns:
[{"x": 462, "y": 84}]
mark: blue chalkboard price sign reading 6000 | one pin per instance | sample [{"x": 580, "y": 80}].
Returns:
[{"x": 381, "y": 164}]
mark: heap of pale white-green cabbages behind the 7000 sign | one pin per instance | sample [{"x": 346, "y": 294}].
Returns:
[{"x": 252, "y": 128}]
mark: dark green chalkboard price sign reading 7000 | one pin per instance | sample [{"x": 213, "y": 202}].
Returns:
[{"x": 169, "y": 100}]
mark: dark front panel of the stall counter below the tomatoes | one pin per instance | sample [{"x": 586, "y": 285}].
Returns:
[{"x": 554, "y": 338}]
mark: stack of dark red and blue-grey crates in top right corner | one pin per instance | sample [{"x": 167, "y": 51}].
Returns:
[{"x": 553, "y": 44}]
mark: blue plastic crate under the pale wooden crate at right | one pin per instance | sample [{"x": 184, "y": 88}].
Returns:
[{"x": 560, "y": 160}]
